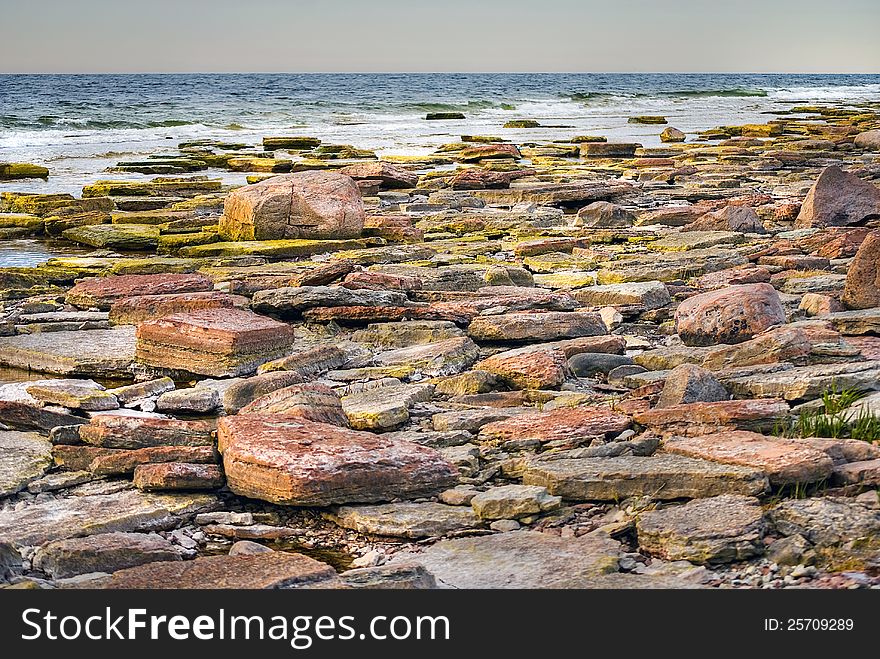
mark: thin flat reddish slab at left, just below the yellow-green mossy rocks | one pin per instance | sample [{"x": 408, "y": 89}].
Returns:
[{"x": 102, "y": 292}]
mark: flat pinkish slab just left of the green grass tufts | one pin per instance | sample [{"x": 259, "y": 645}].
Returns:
[{"x": 786, "y": 462}]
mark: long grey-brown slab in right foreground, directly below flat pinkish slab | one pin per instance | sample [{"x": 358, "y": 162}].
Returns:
[{"x": 662, "y": 477}]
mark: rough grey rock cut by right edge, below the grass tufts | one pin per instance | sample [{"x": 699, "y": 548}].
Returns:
[{"x": 826, "y": 521}]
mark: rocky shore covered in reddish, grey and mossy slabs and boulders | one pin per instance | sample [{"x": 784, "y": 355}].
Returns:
[{"x": 574, "y": 364}]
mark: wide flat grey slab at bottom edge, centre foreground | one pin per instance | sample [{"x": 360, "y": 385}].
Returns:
[{"x": 519, "y": 559}]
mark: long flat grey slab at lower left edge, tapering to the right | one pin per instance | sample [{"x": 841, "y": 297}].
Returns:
[{"x": 128, "y": 510}]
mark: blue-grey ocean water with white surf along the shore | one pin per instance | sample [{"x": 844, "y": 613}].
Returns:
[{"x": 78, "y": 125}]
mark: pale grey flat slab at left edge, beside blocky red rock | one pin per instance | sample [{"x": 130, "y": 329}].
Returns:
[{"x": 92, "y": 353}]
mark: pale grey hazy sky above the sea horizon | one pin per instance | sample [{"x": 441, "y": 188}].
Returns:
[{"x": 439, "y": 35}]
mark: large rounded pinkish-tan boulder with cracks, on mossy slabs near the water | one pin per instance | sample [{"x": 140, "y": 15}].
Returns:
[{"x": 313, "y": 205}]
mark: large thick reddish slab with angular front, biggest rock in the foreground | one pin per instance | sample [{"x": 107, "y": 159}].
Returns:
[{"x": 303, "y": 463}]
